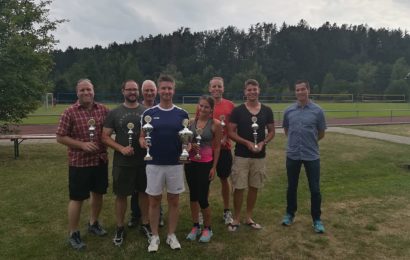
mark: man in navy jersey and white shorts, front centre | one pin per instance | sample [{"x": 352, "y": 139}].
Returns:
[{"x": 164, "y": 168}]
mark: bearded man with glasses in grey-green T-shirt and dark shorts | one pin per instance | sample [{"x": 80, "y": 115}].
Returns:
[{"x": 128, "y": 170}]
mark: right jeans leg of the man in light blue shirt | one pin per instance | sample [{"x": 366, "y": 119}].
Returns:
[{"x": 312, "y": 169}]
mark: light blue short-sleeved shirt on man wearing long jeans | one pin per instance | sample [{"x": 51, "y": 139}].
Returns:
[{"x": 303, "y": 125}]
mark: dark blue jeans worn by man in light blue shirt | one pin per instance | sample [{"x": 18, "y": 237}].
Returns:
[{"x": 312, "y": 169}]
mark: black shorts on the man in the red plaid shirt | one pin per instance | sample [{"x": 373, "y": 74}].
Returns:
[{"x": 83, "y": 180}]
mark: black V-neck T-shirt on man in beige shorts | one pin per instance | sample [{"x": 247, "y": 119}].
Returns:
[{"x": 243, "y": 119}]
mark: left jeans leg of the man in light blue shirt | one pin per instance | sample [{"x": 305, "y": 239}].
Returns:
[{"x": 293, "y": 170}]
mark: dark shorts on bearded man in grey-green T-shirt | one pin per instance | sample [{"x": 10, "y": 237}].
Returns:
[{"x": 126, "y": 180}]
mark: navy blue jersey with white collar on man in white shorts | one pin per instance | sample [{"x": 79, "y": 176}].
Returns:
[{"x": 166, "y": 146}]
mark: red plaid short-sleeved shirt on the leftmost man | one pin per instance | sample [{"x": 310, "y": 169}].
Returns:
[{"x": 74, "y": 123}]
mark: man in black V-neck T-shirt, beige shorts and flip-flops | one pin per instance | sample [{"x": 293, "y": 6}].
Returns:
[{"x": 247, "y": 127}]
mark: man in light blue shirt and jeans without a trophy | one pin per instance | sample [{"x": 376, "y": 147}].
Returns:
[{"x": 304, "y": 124}]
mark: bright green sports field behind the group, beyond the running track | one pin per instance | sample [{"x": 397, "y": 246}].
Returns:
[{"x": 333, "y": 110}]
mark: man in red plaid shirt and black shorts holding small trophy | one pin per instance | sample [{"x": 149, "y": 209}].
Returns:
[{"x": 80, "y": 130}]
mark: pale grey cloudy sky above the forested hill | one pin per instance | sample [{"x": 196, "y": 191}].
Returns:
[{"x": 102, "y": 22}]
